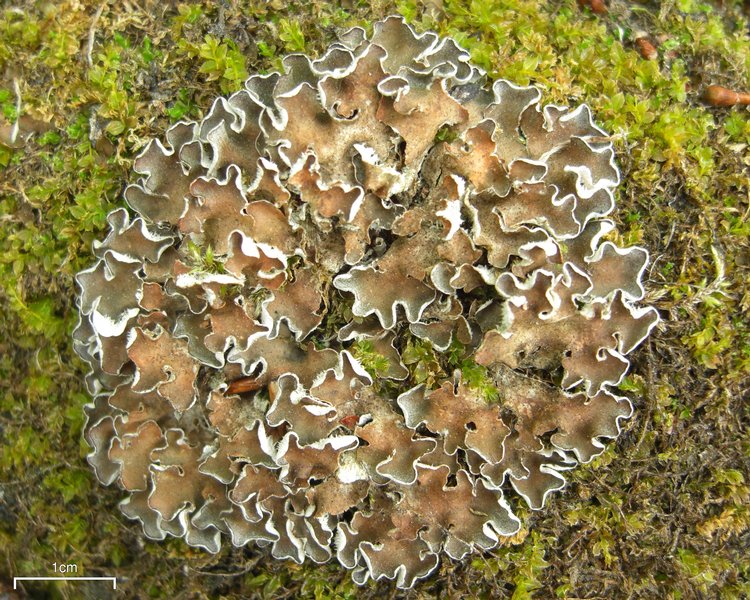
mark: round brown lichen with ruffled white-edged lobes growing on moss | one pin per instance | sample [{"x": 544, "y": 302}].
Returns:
[{"x": 383, "y": 202}]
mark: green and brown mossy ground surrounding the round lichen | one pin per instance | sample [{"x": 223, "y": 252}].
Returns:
[{"x": 663, "y": 513}]
